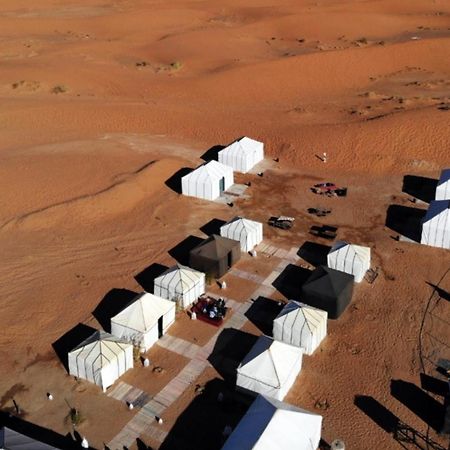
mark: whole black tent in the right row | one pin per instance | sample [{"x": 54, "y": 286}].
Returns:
[{"x": 328, "y": 289}]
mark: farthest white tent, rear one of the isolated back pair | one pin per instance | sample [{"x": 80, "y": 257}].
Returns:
[{"x": 242, "y": 154}]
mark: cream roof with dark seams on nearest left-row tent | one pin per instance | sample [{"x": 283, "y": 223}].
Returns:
[{"x": 101, "y": 348}]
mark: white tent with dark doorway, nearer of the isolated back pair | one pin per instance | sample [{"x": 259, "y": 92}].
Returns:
[{"x": 207, "y": 181}]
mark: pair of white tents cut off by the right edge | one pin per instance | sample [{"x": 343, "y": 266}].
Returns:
[{"x": 436, "y": 223}]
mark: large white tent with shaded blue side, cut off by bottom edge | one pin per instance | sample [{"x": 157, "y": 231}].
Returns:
[{"x": 273, "y": 425}]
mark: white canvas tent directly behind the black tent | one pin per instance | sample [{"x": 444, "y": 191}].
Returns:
[{"x": 349, "y": 258}]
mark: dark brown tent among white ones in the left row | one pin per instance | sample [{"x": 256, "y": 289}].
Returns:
[{"x": 215, "y": 255}]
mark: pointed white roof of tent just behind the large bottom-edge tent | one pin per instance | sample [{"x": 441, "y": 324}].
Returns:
[{"x": 270, "y": 361}]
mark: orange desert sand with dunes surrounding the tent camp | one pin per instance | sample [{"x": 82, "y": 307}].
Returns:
[{"x": 102, "y": 102}]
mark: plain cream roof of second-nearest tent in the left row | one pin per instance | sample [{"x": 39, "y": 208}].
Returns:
[{"x": 144, "y": 312}]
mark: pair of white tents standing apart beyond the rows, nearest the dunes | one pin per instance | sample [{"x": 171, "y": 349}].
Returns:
[{"x": 210, "y": 180}]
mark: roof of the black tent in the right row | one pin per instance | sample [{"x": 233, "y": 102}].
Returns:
[{"x": 325, "y": 280}]
